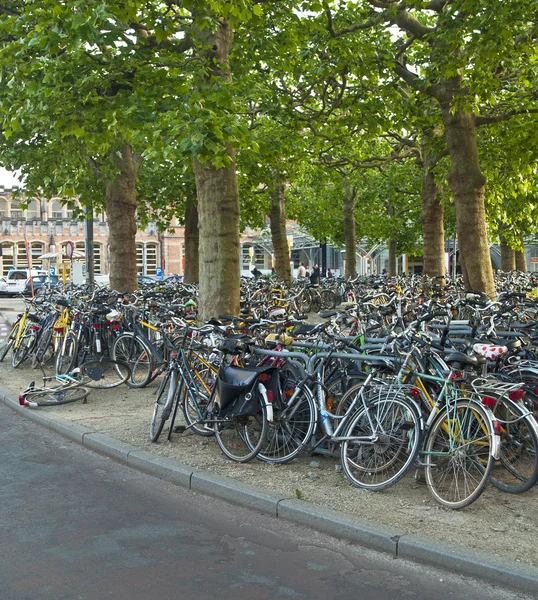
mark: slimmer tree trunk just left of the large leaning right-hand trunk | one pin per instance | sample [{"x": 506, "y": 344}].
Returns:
[{"x": 433, "y": 231}]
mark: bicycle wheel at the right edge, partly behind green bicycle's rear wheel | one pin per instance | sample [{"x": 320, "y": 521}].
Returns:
[{"x": 516, "y": 471}]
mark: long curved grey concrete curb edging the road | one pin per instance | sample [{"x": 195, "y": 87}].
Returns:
[{"x": 462, "y": 561}]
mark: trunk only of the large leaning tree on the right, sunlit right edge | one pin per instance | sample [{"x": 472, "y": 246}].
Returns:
[{"x": 467, "y": 185}]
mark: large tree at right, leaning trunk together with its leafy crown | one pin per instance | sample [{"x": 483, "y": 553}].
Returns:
[{"x": 452, "y": 52}]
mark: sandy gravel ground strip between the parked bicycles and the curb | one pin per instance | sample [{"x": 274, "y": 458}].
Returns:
[{"x": 499, "y": 523}]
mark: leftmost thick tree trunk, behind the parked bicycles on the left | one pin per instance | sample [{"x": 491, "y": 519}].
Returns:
[{"x": 121, "y": 216}]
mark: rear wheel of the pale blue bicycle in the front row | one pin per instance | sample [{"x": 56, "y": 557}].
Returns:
[{"x": 380, "y": 442}]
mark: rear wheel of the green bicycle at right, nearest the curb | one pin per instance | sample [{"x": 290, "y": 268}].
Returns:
[{"x": 458, "y": 453}]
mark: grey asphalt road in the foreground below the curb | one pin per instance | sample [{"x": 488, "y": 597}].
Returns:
[{"x": 77, "y": 526}]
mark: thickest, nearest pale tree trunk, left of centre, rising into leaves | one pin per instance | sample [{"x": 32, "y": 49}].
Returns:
[{"x": 218, "y": 199}]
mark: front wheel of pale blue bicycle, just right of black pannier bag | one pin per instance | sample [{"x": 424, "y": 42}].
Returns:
[{"x": 292, "y": 426}]
